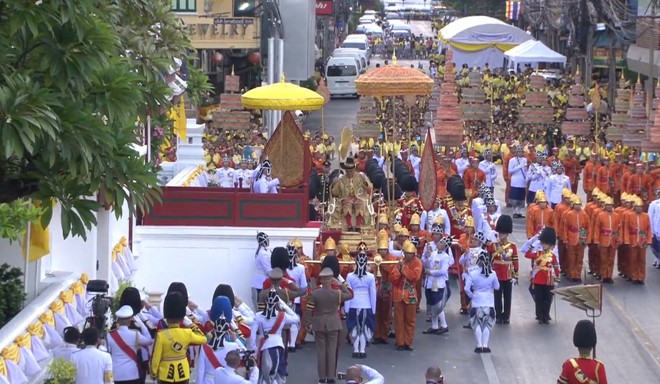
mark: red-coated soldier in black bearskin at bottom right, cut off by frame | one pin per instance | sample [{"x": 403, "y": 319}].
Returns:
[{"x": 584, "y": 369}]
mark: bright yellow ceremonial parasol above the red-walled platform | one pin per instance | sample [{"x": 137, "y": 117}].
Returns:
[{"x": 282, "y": 96}]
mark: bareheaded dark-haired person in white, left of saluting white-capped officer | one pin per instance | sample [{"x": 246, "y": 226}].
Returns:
[{"x": 92, "y": 366}]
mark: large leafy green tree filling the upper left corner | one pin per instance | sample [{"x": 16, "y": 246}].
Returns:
[{"x": 77, "y": 79}]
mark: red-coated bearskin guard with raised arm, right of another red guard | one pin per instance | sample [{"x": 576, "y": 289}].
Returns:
[{"x": 545, "y": 272}]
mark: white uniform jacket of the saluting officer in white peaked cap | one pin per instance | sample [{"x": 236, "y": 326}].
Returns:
[{"x": 125, "y": 368}]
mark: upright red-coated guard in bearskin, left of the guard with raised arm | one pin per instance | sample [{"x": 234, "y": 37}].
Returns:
[{"x": 505, "y": 265}]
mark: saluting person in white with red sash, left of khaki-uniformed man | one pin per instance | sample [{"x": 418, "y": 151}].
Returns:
[{"x": 270, "y": 348}]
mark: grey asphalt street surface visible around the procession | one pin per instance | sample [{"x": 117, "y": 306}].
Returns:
[{"x": 523, "y": 352}]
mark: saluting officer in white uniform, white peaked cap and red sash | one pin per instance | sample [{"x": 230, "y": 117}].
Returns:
[{"x": 123, "y": 344}]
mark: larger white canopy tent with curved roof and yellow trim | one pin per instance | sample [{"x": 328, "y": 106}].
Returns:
[{"x": 477, "y": 40}]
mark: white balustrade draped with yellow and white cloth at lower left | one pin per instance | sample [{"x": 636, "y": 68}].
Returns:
[{"x": 27, "y": 339}]
